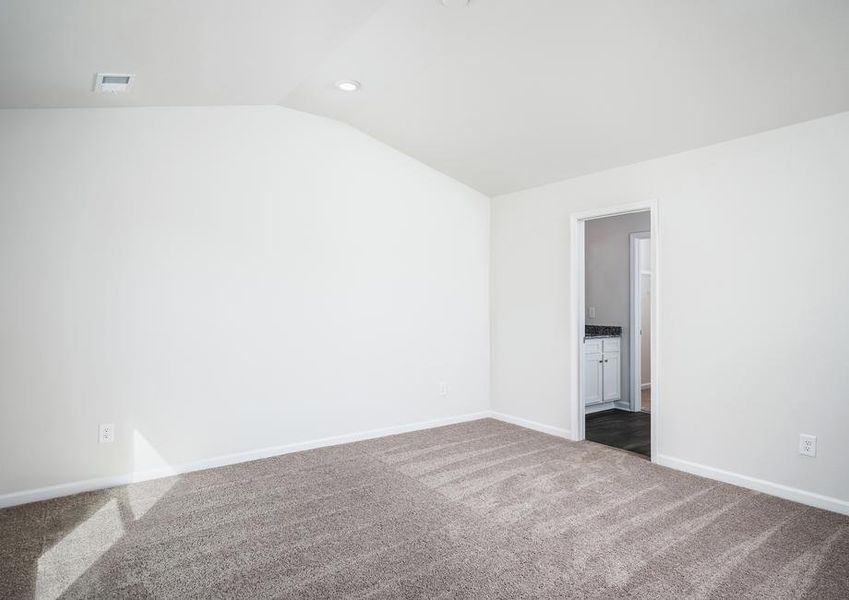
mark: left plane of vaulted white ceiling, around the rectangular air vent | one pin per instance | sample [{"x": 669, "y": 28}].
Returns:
[{"x": 183, "y": 52}]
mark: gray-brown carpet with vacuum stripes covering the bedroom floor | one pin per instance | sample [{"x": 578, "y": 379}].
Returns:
[{"x": 477, "y": 510}]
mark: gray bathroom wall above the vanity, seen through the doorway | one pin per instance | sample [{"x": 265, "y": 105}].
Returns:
[{"x": 608, "y": 279}]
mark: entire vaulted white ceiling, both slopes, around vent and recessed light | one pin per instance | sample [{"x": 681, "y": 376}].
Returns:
[{"x": 503, "y": 94}]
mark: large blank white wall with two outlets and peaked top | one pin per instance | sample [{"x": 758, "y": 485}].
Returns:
[{"x": 217, "y": 280}]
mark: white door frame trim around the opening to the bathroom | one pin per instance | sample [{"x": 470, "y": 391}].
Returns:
[{"x": 577, "y": 222}]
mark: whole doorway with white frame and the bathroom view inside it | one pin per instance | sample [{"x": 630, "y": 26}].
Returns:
[{"x": 614, "y": 278}]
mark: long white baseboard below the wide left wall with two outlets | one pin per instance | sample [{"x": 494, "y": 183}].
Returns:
[{"x": 87, "y": 485}]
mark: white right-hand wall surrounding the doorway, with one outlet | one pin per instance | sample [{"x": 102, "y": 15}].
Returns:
[{"x": 754, "y": 287}]
